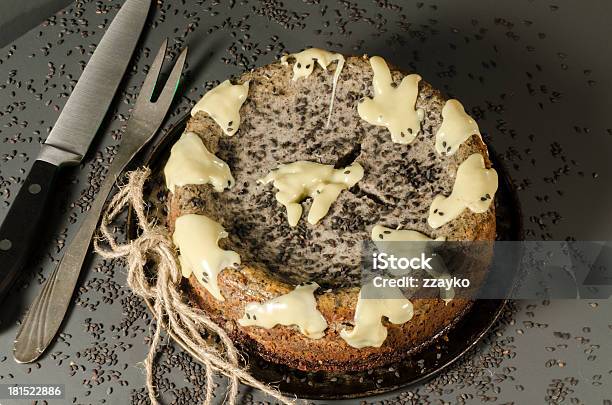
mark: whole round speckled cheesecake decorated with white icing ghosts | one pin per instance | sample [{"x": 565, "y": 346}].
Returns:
[{"x": 420, "y": 161}]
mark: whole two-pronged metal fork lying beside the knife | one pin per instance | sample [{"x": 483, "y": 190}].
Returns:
[{"x": 45, "y": 316}]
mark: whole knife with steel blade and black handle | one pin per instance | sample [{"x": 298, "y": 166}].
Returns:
[{"x": 70, "y": 137}]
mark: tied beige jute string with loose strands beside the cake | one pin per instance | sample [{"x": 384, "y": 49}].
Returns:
[{"x": 171, "y": 311}]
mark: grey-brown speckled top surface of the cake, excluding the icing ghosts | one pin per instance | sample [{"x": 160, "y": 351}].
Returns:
[{"x": 283, "y": 121}]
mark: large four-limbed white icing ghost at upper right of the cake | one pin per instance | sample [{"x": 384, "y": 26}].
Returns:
[{"x": 393, "y": 107}]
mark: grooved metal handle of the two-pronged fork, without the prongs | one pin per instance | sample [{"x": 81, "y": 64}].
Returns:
[{"x": 47, "y": 312}]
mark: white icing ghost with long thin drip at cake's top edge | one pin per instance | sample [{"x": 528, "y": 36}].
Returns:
[{"x": 304, "y": 65}]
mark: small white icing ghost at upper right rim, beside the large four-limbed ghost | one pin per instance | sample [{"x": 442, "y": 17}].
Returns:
[{"x": 457, "y": 126}]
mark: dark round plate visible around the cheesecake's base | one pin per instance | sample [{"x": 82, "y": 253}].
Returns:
[{"x": 438, "y": 354}]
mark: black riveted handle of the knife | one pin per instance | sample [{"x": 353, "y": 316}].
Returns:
[{"x": 20, "y": 225}]
